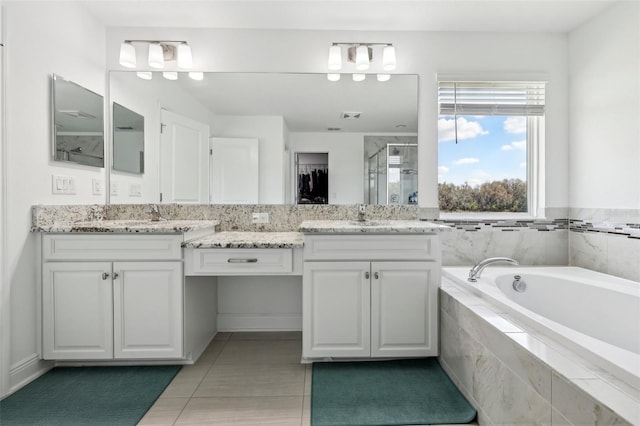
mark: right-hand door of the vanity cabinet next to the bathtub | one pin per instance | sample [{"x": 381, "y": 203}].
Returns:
[{"x": 404, "y": 308}]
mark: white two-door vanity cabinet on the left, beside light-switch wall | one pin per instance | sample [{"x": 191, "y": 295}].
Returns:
[{"x": 112, "y": 296}]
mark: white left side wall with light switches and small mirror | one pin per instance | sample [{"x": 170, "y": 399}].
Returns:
[{"x": 41, "y": 38}]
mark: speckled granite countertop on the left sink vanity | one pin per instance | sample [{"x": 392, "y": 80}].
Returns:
[{"x": 130, "y": 226}]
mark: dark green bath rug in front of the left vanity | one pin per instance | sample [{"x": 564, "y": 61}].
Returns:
[{"x": 113, "y": 396}]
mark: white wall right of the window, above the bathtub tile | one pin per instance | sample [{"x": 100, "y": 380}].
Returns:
[{"x": 604, "y": 160}]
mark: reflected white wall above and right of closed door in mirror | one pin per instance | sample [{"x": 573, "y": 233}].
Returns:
[{"x": 270, "y": 133}]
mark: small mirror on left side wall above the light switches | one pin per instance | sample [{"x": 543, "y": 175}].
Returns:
[{"x": 78, "y": 123}]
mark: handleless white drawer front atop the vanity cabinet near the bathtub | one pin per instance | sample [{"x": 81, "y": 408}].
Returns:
[{"x": 372, "y": 247}]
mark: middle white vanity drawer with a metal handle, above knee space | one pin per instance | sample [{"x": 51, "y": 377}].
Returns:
[{"x": 222, "y": 261}]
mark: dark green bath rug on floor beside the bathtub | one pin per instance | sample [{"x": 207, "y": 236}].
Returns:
[{"x": 398, "y": 392}]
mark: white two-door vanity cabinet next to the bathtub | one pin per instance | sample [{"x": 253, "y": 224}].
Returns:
[{"x": 370, "y": 295}]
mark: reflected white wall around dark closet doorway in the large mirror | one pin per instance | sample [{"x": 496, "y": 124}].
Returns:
[{"x": 346, "y": 167}]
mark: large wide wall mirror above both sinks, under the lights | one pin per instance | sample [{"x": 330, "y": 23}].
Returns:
[{"x": 355, "y": 123}]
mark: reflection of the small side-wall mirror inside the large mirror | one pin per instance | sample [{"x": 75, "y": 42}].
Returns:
[{"x": 128, "y": 140}]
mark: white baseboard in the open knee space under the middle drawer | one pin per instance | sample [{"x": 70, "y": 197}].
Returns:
[{"x": 259, "y": 322}]
